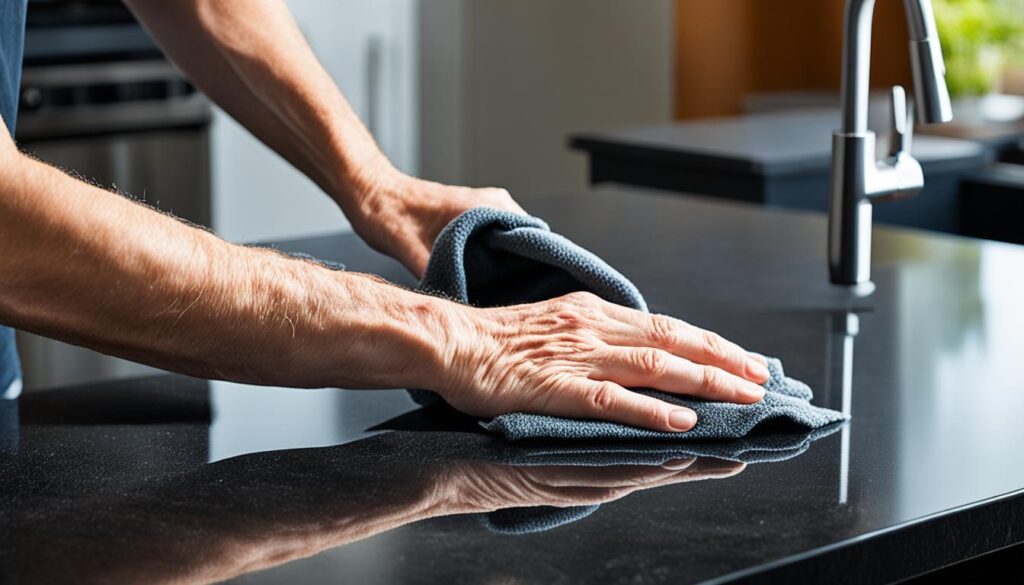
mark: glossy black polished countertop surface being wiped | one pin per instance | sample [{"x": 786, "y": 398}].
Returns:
[{"x": 173, "y": 479}]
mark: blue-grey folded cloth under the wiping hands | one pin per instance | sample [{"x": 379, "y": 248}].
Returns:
[{"x": 487, "y": 258}]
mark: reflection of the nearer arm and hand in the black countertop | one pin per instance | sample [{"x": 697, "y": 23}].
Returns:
[{"x": 234, "y": 517}]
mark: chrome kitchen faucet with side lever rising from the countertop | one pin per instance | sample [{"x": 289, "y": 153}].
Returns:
[{"x": 858, "y": 180}]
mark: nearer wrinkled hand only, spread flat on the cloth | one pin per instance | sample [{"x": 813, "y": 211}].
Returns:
[{"x": 576, "y": 355}]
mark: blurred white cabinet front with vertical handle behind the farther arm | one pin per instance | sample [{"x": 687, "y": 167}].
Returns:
[{"x": 257, "y": 195}]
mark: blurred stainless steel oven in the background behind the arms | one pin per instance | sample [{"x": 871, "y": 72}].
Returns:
[{"x": 100, "y": 101}]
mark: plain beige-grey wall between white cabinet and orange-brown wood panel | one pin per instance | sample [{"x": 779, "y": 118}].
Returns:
[{"x": 505, "y": 82}]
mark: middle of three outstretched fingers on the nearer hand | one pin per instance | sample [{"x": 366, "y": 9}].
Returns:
[{"x": 661, "y": 370}]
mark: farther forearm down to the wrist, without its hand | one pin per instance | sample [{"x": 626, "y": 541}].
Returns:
[{"x": 251, "y": 59}]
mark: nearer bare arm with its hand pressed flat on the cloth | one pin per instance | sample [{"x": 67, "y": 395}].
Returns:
[{"x": 89, "y": 267}]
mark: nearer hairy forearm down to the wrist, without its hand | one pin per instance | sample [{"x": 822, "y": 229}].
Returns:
[{"x": 91, "y": 268}]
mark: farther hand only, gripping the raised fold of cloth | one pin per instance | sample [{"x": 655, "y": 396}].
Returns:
[{"x": 404, "y": 217}]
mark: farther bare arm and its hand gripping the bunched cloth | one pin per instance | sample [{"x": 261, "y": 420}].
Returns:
[{"x": 251, "y": 59}]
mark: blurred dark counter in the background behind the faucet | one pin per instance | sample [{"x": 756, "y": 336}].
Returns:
[{"x": 781, "y": 159}]
